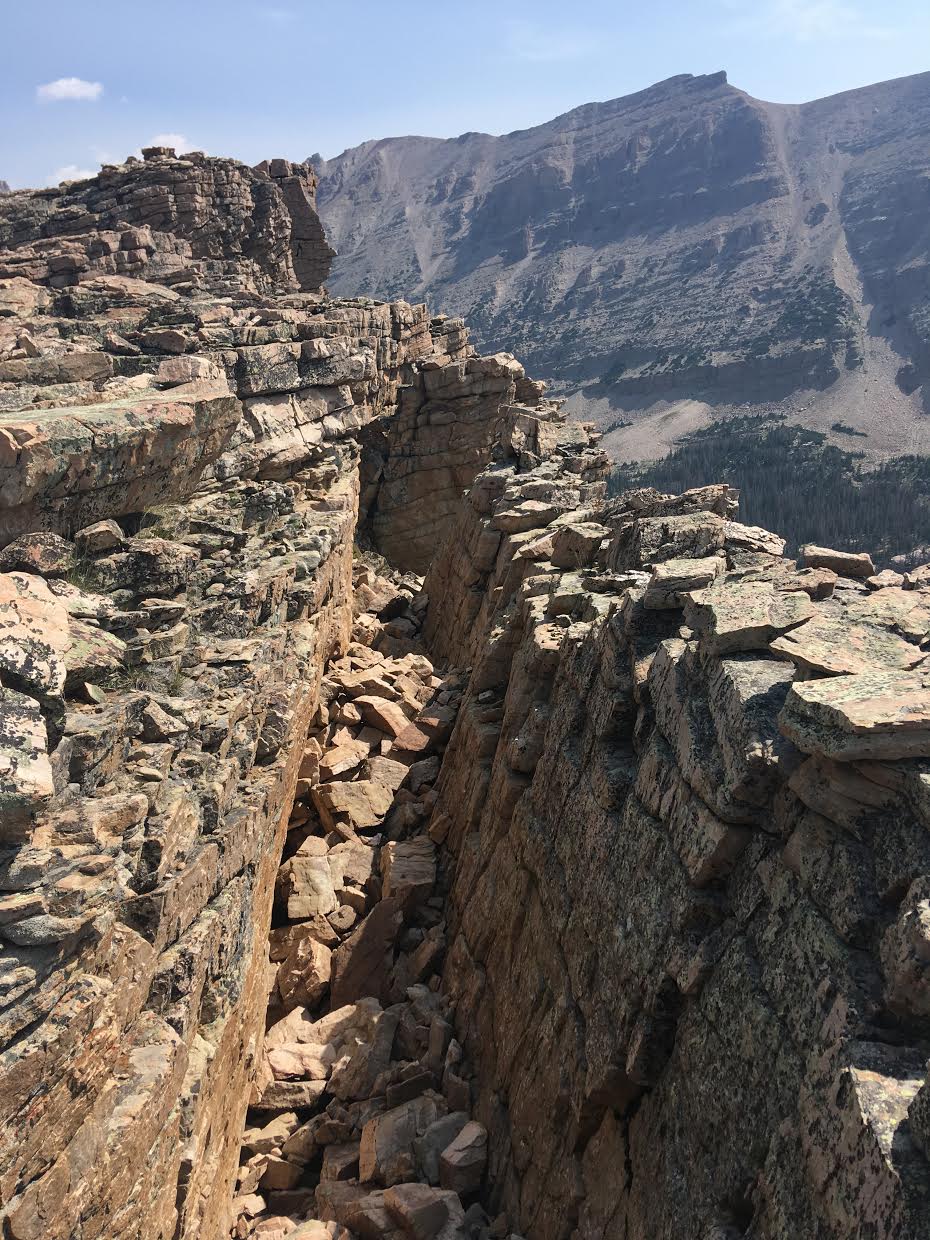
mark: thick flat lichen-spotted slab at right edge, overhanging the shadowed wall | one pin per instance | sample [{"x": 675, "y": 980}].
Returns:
[{"x": 871, "y": 715}]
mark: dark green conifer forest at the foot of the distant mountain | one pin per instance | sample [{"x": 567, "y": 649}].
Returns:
[{"x": 797, "y": 484}]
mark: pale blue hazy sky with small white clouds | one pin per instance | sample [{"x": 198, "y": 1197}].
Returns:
[{"x": 85, "y": 82}]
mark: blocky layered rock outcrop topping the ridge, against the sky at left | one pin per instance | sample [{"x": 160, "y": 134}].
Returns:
[{"x": 174, "y": 221}]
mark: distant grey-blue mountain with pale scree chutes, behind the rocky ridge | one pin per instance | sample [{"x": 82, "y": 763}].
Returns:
[{"x": 675, "y": 255}]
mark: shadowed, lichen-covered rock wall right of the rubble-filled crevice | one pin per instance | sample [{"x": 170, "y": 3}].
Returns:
[{"x": 691, "y": 840}]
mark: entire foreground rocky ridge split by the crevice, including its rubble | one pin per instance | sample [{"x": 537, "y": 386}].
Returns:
[{"x": 400, "y": 840}]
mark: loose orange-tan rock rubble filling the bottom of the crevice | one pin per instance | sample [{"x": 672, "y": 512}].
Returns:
[{"x": 360, "y": 1117}]
